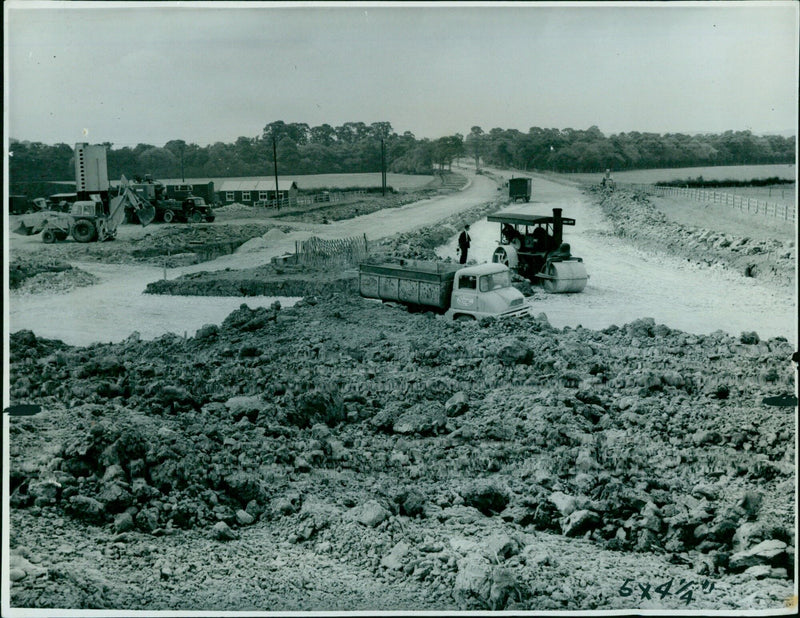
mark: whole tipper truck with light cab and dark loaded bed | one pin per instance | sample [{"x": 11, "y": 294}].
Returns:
[{"x": 458, "y": 293}]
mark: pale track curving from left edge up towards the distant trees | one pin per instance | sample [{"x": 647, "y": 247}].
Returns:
[{"x": 114, "y": 308}]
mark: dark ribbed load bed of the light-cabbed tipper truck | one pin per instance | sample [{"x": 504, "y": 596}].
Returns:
[{"x": 426, "y": 284}]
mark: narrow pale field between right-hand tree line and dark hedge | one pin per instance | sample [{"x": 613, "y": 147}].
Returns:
[{"x": 725, "y": 172}]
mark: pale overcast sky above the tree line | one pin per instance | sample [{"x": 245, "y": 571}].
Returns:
[{"x": 130, "y": 72}]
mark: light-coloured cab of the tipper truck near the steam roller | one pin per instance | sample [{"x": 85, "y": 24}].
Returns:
[{"x": 485, "y": 290}]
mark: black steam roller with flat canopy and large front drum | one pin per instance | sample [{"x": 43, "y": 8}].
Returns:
[{"x": 532, "y": 246}]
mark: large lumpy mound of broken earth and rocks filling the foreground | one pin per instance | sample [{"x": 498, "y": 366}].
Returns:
[{"x": 446, "y": 457}]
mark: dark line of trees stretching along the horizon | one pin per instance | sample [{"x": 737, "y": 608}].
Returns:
[{"x": 356, "y": 147}]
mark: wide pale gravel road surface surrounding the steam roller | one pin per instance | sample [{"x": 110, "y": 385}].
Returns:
[{"x": 626, "y": 283}]
